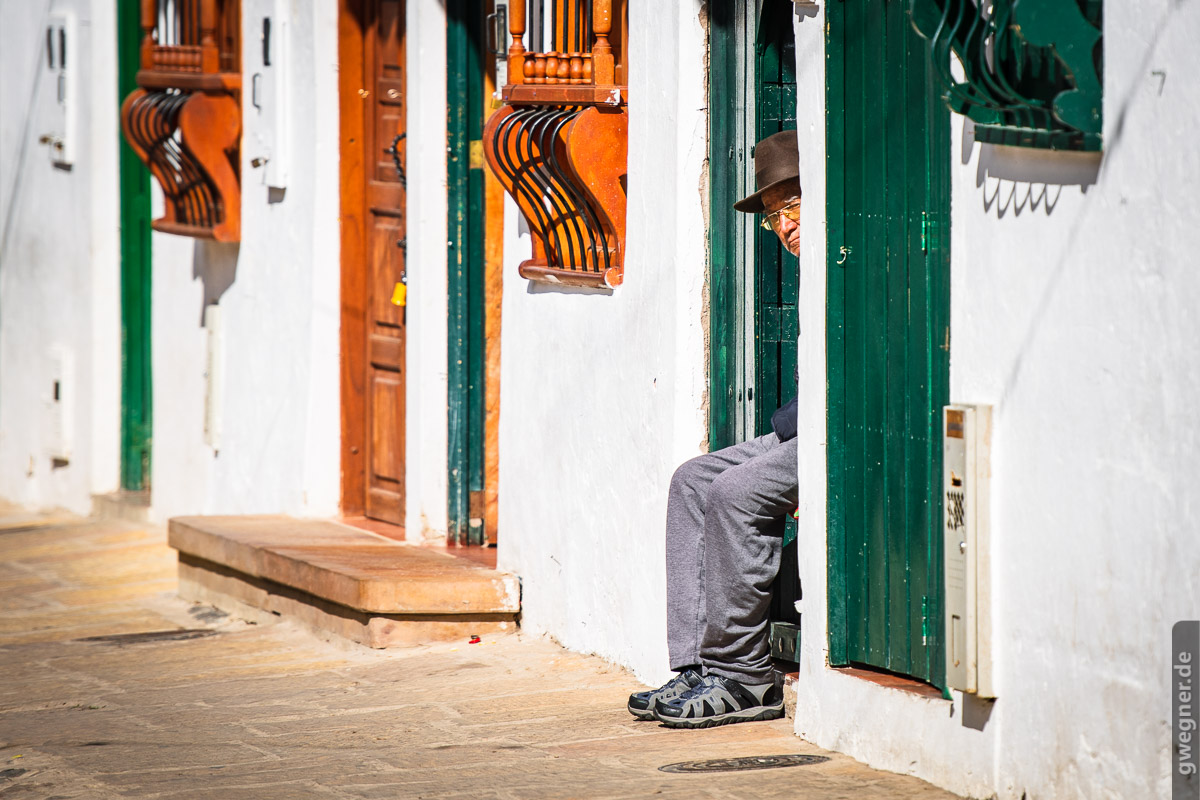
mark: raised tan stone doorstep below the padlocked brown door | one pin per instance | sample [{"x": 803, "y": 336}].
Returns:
[{"x": 340, "y": 580}]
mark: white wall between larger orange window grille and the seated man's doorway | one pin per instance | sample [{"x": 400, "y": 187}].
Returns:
[{"x": 603, "y": 394}]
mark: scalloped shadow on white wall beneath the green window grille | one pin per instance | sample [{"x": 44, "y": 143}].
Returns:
[{"x": 1027, "y": 179}]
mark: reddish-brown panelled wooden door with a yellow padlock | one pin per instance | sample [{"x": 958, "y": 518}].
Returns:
[{"x": 374, "y": 243}]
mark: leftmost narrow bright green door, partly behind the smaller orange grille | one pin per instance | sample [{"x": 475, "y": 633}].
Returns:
[{"x": 135, "y": 207}]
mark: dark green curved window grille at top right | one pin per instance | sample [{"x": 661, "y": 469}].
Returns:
[{"x": 1033, "y": 69}]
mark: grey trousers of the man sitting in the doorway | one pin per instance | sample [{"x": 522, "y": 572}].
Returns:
[{"x": 724, "y": 542}]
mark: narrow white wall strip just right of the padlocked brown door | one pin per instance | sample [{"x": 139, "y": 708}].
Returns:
[{"x": 428, "y": 380}]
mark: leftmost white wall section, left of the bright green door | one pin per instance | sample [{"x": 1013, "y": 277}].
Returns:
[{"x": 59, "y": 262}]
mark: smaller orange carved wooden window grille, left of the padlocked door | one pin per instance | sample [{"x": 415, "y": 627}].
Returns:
[{"x": 185, "y": 118}]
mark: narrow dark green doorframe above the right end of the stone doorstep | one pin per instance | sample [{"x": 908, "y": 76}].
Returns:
[{"x": 465, "y": 270}]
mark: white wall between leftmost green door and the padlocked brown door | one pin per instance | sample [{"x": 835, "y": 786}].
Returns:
[{"x": 279, "y": 297}]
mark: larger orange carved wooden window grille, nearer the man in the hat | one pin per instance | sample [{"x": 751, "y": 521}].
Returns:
[{"x": 560, "y": 146}]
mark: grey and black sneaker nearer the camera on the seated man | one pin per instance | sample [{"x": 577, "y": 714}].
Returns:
[{"x": 721, "y": 701}]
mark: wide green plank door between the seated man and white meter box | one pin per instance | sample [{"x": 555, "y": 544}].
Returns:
[{"x": 889, "y": 340}]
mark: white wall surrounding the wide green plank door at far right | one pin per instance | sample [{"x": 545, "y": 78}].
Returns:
[{"x": 1073, "y": 296}]
